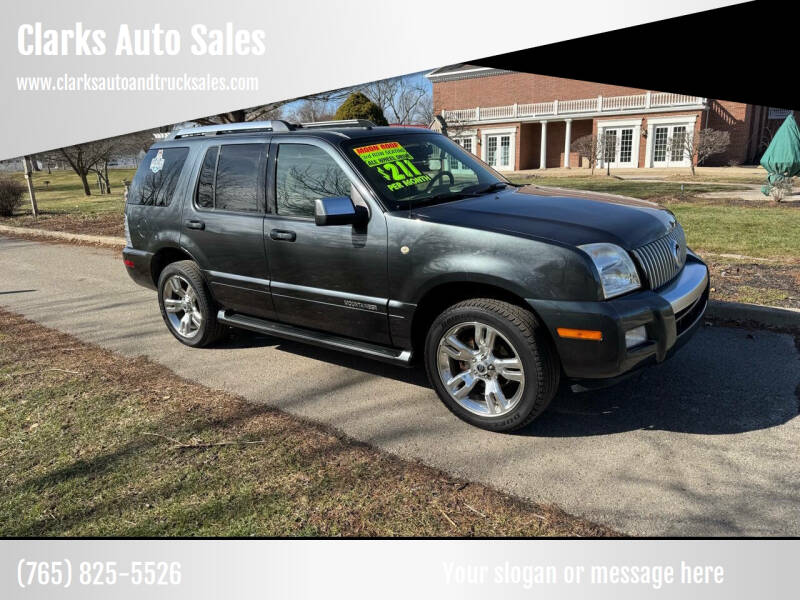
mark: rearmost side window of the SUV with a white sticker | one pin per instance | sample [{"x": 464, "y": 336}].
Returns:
[{"x": 155, "y": 181}]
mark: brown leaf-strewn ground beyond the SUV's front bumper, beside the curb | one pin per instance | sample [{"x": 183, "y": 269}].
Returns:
[{"x": 755, "y": 283}]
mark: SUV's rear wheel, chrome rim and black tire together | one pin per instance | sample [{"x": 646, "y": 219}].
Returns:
[{"x": 186, "y": 305}]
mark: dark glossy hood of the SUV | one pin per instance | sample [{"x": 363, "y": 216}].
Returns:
[{"x": 571, "y": 217}]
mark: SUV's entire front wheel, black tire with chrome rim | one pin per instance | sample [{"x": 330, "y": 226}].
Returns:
[{"x": 491, "y": 363}]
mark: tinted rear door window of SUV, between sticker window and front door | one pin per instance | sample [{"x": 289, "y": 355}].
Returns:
[{"x": 232, "y": 178}]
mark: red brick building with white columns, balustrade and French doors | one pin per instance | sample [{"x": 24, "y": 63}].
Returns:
[{"x": 517, "y": 121}]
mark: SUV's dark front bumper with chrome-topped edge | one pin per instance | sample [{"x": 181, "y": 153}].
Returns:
[{"x": 669, "y": 314}]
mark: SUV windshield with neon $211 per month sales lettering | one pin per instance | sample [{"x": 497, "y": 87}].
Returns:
[{"x": 417, "y": 169}]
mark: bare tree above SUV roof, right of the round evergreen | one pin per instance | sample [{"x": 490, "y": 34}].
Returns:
[{"x": 401, "y": 99}]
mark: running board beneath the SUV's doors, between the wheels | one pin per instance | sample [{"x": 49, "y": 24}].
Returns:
[{"x": 318, "y": 338}]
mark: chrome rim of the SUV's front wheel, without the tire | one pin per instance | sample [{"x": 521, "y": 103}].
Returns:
[{"x": 480, "y": 369}]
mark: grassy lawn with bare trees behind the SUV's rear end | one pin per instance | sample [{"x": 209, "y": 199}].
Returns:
[{"x": 64, "y": 193}]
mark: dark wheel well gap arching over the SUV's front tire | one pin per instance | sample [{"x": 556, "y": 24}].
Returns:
[{"x": 436, "y": 300}]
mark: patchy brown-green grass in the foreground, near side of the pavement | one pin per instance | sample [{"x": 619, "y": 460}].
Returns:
[{"x": 92, "y": 443}]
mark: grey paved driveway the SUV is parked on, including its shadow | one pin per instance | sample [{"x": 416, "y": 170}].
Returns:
[{"x": 706, "y": 444}]
